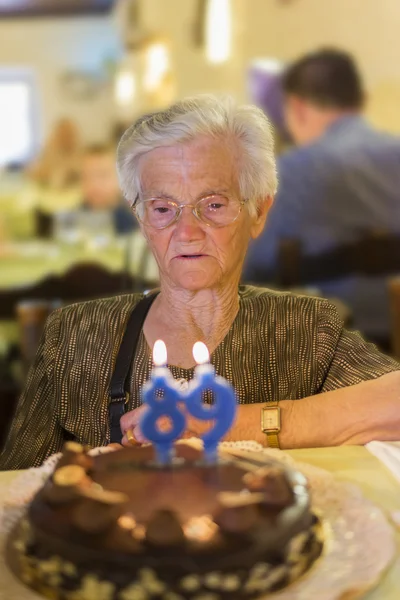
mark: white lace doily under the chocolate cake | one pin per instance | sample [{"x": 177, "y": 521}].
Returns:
[{"x": 359, "y": 546}]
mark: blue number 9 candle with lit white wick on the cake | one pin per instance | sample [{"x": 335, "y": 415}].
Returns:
[{"x": 222, "y": 412}]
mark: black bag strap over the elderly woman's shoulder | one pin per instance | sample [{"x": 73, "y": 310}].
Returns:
[{"x": 119, "y": 386}]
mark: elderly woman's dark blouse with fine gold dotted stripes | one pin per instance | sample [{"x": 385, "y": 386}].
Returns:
[{"x": 280, "y": 346}]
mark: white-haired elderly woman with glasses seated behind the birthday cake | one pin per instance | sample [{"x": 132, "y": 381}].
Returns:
[{"x": 200, "y": 177}]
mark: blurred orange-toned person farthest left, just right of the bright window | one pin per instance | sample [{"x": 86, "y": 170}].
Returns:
[{"x": 59, "y": 164}]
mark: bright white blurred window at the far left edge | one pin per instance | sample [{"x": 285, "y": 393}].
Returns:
[{"x": 16, "y": 122}]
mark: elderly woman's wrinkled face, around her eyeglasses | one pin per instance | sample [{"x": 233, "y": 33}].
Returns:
[{"x": 190, "y": 254}]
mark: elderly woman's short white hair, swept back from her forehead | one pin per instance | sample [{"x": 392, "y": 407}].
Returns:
[{"x": 244, "y": 126}]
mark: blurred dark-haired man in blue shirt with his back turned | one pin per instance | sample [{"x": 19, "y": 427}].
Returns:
[{"x": 341, "y": 182}]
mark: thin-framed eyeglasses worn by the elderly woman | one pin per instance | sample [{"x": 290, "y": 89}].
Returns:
[{"x": 215, "y": 210}]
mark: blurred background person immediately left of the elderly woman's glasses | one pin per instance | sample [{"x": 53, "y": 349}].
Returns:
[{"x": 100, "y": 187}]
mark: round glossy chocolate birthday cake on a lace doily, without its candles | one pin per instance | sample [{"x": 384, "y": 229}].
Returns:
[{"x": 120, "y": 527}]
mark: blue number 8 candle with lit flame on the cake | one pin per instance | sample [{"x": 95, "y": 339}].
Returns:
[{"x": 161, "y": 395}]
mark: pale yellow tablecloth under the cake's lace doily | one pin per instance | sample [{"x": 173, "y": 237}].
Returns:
[{"x": 354, "y": 464}]
